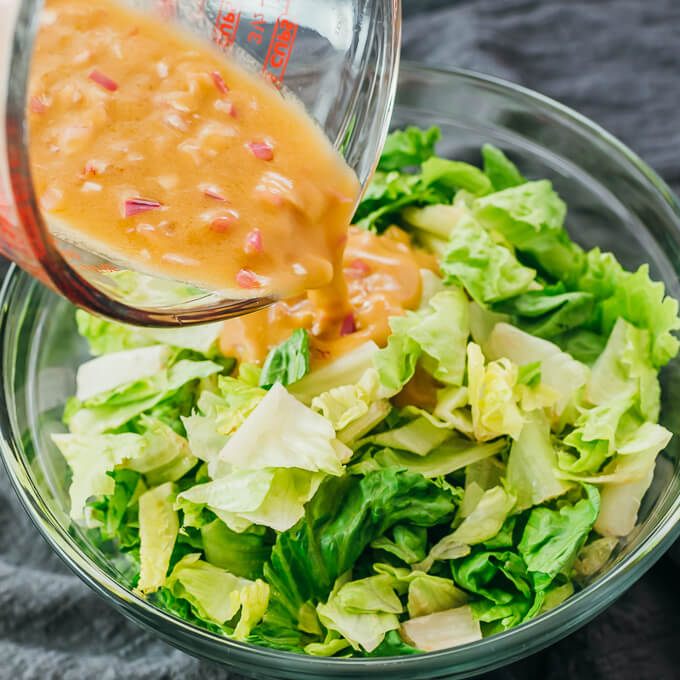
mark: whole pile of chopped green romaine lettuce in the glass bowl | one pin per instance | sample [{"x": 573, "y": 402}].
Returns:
[{"x": 305, "y": 511}]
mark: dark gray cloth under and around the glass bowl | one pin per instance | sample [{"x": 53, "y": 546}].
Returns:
[{"x": 616, "y": 61}]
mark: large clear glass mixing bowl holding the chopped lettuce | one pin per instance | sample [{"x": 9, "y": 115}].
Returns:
[{"x": 614, "y": 200}]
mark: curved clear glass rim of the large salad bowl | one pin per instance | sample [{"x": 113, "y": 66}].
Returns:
[{"x": 493, "y": 651}]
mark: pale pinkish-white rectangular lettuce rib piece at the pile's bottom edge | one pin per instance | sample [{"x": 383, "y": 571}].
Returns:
[{"x": 442, "y": 630}]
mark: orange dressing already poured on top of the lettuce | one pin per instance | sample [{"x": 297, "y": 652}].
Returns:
[{"x": 382, "y": 279}]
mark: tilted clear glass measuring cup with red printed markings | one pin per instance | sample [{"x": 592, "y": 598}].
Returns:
[{"x": 339, "y": 58}]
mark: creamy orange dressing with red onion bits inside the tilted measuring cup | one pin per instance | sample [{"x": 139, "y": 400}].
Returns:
[{"x": 161, "y": 155}]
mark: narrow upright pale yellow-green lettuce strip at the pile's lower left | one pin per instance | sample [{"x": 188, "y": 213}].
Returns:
[{"x": 158, "y": 529}]
